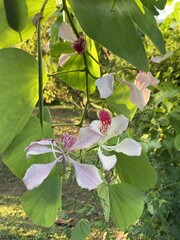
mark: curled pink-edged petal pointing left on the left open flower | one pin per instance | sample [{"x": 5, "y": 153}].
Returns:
[{"x": 41, "y": 147}]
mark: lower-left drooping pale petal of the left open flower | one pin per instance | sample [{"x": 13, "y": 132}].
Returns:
[{"x": 36, "y": 174}]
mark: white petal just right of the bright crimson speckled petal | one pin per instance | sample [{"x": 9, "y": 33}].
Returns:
[{"x": 118, "y": 125}]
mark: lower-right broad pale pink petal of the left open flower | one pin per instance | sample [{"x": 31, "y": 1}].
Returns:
[{"x": 87, "y": 176}]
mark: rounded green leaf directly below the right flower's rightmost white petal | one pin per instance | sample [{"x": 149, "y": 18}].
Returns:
[{"x": 136, "y": 171}]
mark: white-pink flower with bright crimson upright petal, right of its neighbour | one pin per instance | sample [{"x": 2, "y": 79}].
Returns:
[{"x": 102, "y": 130}]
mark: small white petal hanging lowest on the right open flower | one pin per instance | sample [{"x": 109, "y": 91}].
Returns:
[{"x": 108, "y": 162}]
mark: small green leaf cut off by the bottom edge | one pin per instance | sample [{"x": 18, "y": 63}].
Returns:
[{"x": 81, "y": 230}]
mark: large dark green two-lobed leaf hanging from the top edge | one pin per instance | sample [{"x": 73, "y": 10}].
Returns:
[{"x": 114, "y": 26}]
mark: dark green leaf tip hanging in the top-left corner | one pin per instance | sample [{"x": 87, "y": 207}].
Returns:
[{"x": 16, "y": 14}]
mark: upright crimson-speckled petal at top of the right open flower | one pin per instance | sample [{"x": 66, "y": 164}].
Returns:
[{"x": 105, "y": 119}]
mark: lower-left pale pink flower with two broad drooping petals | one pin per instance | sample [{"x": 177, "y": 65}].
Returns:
[{"x": 87, "y": 175}]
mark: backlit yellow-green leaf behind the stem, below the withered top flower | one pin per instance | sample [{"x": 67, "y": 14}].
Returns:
[{"x": 77, "y": 79}]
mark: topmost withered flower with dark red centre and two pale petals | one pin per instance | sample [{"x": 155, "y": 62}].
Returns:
[{"x": 78, "y": 44}]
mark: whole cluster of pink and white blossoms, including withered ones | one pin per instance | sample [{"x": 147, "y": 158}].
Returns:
[{"x": 98, "y": 133}]
